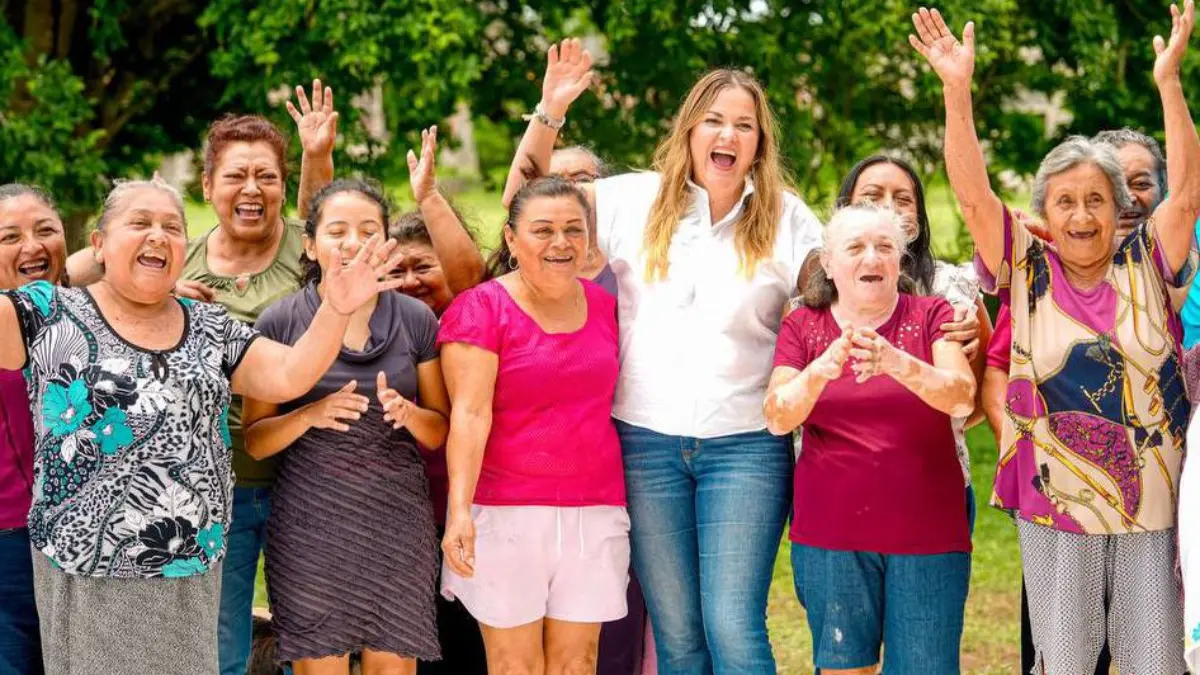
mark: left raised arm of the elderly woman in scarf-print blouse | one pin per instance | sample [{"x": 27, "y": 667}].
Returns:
[{"x": 965, "y": 165}]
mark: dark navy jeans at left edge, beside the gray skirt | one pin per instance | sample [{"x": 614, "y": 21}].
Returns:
[{"x": 21, "y": 646}]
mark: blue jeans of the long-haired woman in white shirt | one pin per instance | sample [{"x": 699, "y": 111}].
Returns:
[{"x": 707, "y": 516}]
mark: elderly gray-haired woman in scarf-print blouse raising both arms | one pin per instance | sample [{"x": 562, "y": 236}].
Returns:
[{"x": 1093, "y": 438}]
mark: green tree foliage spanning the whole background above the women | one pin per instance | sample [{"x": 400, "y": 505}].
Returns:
[{"x": 97, "y": 89}]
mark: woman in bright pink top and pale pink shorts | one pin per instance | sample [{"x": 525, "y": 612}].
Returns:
[{"x": 537, "y": 543}]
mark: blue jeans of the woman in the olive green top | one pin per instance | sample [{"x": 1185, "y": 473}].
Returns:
[{"x": 247, "y": 539}]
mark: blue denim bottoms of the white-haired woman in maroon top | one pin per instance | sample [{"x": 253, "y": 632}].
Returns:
[{"x": 857, "y": 602}]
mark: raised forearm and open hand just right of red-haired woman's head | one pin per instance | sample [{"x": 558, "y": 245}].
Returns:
[{"x": 317, "y": 126}]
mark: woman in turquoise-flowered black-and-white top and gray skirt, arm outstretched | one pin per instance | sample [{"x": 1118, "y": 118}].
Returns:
[{"x": 133, "y": 485}]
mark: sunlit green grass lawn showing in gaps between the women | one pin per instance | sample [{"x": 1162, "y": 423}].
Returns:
[{"x": 992, "y": 640}]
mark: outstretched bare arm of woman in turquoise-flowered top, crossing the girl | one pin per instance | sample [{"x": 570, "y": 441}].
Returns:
[{"x": 274, "y": 373}]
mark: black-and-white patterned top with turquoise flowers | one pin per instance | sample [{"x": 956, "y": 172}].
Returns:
[{"x": 133, "y": 465}]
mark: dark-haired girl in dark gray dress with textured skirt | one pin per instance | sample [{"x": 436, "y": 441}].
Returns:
[{"x": 352, "y": 554}]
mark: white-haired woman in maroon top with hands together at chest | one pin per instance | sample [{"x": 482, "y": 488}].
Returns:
[{"x": 880, "y": 539}]
